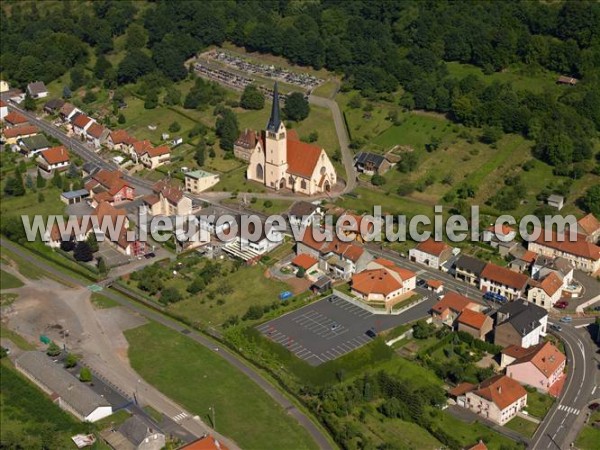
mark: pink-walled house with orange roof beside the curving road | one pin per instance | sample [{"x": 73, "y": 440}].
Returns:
[{"x": 539, "y": 366}]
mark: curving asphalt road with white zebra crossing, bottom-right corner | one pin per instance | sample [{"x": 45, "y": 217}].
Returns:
[{"x": 560, "y": 427}]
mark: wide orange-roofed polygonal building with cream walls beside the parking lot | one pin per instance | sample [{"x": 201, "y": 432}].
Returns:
[{"x": 383, "y": 284}]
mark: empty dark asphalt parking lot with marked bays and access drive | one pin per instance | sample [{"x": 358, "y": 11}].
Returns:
[{"x": 332, "y": 327}]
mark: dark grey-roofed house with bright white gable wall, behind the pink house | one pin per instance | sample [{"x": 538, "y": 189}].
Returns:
[{"x": 520, "y": 323}]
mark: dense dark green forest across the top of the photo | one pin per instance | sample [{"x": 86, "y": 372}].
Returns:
[{"x": 377, "y": 46}]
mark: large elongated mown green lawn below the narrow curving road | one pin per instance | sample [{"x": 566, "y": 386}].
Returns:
[{"x": 198, "y": 379}]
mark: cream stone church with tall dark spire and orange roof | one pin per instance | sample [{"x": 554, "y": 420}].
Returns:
[{"x": 279, "y": 160}]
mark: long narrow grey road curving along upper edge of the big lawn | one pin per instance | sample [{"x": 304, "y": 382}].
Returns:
[{"x": 318, "y": 436}]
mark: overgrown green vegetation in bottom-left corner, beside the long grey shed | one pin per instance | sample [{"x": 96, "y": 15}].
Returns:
[{"x": 29, "y": 419}]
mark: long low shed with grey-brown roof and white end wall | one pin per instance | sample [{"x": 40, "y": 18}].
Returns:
[{"x": 63, "y": 388}]
